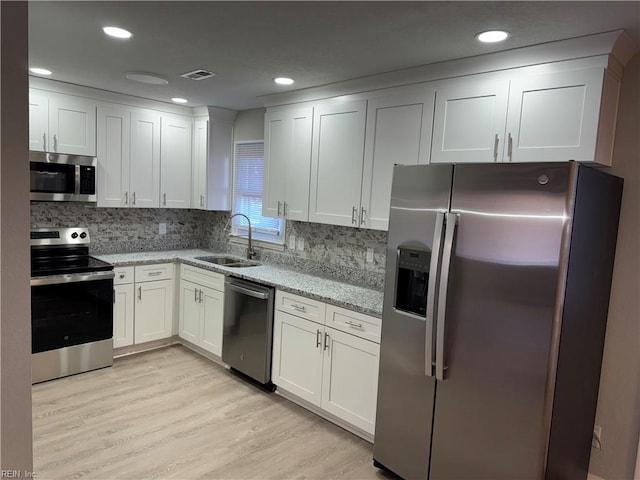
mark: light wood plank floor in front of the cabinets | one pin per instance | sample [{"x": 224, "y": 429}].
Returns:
[{"x": 173, "y": 414}]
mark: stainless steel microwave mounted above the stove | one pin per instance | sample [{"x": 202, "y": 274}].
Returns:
[{"x": 62, "y": 178}]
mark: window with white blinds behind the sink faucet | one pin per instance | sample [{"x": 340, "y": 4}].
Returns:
[{"x": 248, "y": 174}]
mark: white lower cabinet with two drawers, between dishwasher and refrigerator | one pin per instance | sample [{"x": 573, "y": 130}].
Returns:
[{"x": 329, "y": 368}]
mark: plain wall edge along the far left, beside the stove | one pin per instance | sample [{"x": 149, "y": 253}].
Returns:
[{"x": 15, "y": 313}]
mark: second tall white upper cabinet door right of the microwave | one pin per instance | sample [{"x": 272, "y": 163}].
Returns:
[{"x": 144, "y": 187}]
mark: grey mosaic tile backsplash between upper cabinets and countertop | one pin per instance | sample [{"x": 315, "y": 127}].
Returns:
[{"x": 337, "y": 252}]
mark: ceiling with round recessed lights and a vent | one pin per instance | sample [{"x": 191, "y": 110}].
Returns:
[{"x": 248, "y": 43}]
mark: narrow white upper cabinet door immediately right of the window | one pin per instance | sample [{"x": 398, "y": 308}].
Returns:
[{"x": 277, "y": 145}]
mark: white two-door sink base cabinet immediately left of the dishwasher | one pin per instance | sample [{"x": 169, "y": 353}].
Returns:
[{"x": 201, "y": 308}]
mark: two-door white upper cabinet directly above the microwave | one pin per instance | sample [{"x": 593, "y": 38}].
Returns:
[{"x": 62, "y": 123}]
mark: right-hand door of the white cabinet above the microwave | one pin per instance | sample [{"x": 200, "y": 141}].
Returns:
[{"x": 72, "y": 125}]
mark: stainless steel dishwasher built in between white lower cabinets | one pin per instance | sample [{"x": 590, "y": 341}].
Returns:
[{"x": 248, "y": 329}]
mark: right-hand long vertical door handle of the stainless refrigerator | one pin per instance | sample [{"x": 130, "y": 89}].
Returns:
[{"x": 452, "y": 221}]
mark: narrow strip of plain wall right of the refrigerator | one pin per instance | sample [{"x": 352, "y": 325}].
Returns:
[{"x": 619, "y": 400}]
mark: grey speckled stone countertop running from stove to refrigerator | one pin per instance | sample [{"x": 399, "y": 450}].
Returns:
[{"x": 361, "y": 299}]
